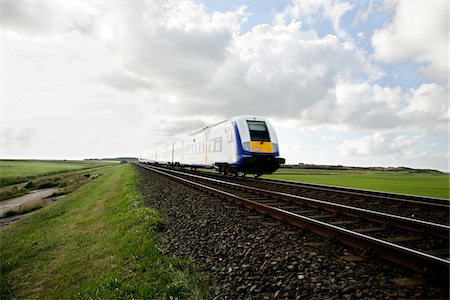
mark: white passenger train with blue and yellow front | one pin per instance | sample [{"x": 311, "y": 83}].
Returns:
[{"x": 244, "y": 144}]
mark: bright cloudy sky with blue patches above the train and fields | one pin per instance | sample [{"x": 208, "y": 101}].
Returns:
[{"x": 345, "y": 82}]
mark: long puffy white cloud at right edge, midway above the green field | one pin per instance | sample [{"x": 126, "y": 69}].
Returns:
[{"x": 371, "y": 106}]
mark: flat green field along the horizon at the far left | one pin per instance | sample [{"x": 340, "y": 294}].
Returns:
[{"x": 17, "y": 171}]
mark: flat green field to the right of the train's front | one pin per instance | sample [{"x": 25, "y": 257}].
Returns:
[{"x": 421, "y": 184}]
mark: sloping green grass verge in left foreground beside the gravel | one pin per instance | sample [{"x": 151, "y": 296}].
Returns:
[{"x": 97, "y": 243}]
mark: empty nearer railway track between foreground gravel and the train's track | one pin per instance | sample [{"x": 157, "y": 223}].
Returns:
[{"x": 416, "y": 244}]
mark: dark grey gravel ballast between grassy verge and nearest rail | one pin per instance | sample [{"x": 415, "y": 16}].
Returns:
[{"x": 248, "y": 256}]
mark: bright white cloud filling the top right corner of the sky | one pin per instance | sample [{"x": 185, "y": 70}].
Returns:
[{"x": 418, "y": 32}]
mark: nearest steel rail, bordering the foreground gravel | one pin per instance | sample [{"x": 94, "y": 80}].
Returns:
[{"x": 418, "y": 261}]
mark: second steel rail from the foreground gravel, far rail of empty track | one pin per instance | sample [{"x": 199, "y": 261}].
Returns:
[{"x": 437, "y": 230}]
